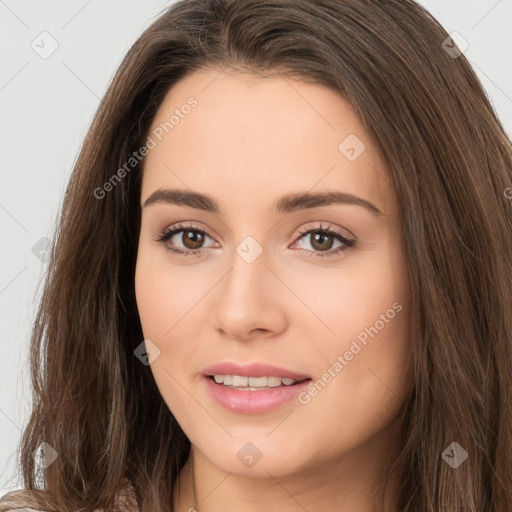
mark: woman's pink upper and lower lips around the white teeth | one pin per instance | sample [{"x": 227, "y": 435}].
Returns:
[{"x": 253, "y": 402}]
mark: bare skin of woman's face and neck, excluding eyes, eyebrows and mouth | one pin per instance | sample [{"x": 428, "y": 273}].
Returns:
[{"x": 249, "y": 141}]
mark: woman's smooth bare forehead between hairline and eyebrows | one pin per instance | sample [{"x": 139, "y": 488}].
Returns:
[{"x": 263, "y": 137}]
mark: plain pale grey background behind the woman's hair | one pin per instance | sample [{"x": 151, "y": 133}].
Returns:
[{"x": 46, "y": 106}]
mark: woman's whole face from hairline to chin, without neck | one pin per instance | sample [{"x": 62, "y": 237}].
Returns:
[{"x": 316, "y": 287}]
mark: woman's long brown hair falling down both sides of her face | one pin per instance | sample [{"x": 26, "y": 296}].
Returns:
[{"x": 450, "y": 162}]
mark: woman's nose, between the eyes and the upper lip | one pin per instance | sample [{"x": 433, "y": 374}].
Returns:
[{"x": 250, "y": 301}]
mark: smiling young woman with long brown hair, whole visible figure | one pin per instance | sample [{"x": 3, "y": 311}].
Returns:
[{"x": 282, "y": 276}]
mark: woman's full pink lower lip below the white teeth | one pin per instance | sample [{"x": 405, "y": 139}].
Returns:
[{"x": 253, "y": 402}]
